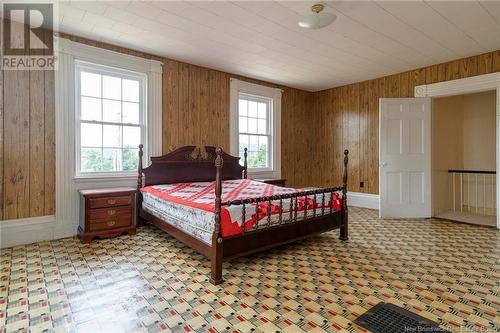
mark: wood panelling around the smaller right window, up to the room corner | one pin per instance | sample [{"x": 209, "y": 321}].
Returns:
[{"x": 196, "y": 111}]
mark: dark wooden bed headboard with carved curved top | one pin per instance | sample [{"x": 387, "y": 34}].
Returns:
[{"x": 188, "y": 164}]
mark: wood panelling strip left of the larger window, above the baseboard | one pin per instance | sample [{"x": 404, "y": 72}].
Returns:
[{"x": 27, "y": 149}]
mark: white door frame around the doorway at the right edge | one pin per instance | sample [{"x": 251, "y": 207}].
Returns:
[{"x": 474, "y": 84}]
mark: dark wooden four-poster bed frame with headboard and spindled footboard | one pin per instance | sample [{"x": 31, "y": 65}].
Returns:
[{"x": 196, "y": 164}]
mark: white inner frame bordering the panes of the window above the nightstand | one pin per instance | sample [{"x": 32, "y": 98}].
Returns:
[{"x": 112, "y": 71}]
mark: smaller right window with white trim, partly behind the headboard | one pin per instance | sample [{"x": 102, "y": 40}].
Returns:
[{"x": 255, "y": 125}]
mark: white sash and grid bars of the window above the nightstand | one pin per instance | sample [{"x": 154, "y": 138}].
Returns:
[{"x": 82, "y": 66}]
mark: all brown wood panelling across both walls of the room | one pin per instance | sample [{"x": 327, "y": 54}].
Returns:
[{"x": 316, "y": 127}]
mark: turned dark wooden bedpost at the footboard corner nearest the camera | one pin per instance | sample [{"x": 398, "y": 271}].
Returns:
[{"x": 216, "y": 259}]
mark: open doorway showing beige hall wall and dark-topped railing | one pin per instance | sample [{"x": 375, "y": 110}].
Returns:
[{"x": 464, "y": 158}]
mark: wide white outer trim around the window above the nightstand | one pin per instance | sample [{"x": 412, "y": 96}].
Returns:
[{"x": 67, "y": 186}]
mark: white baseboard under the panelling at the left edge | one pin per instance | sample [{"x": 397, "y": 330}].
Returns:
[{"x": 27, "y": 231}]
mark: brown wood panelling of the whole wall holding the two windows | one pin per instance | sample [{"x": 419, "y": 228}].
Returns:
[{"x": 195, "y": 111}]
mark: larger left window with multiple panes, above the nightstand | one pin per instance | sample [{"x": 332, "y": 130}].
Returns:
[{"x": 110, "y": 104}]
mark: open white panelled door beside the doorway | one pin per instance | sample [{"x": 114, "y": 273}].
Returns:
[{"x": 405, "y": 157}]
